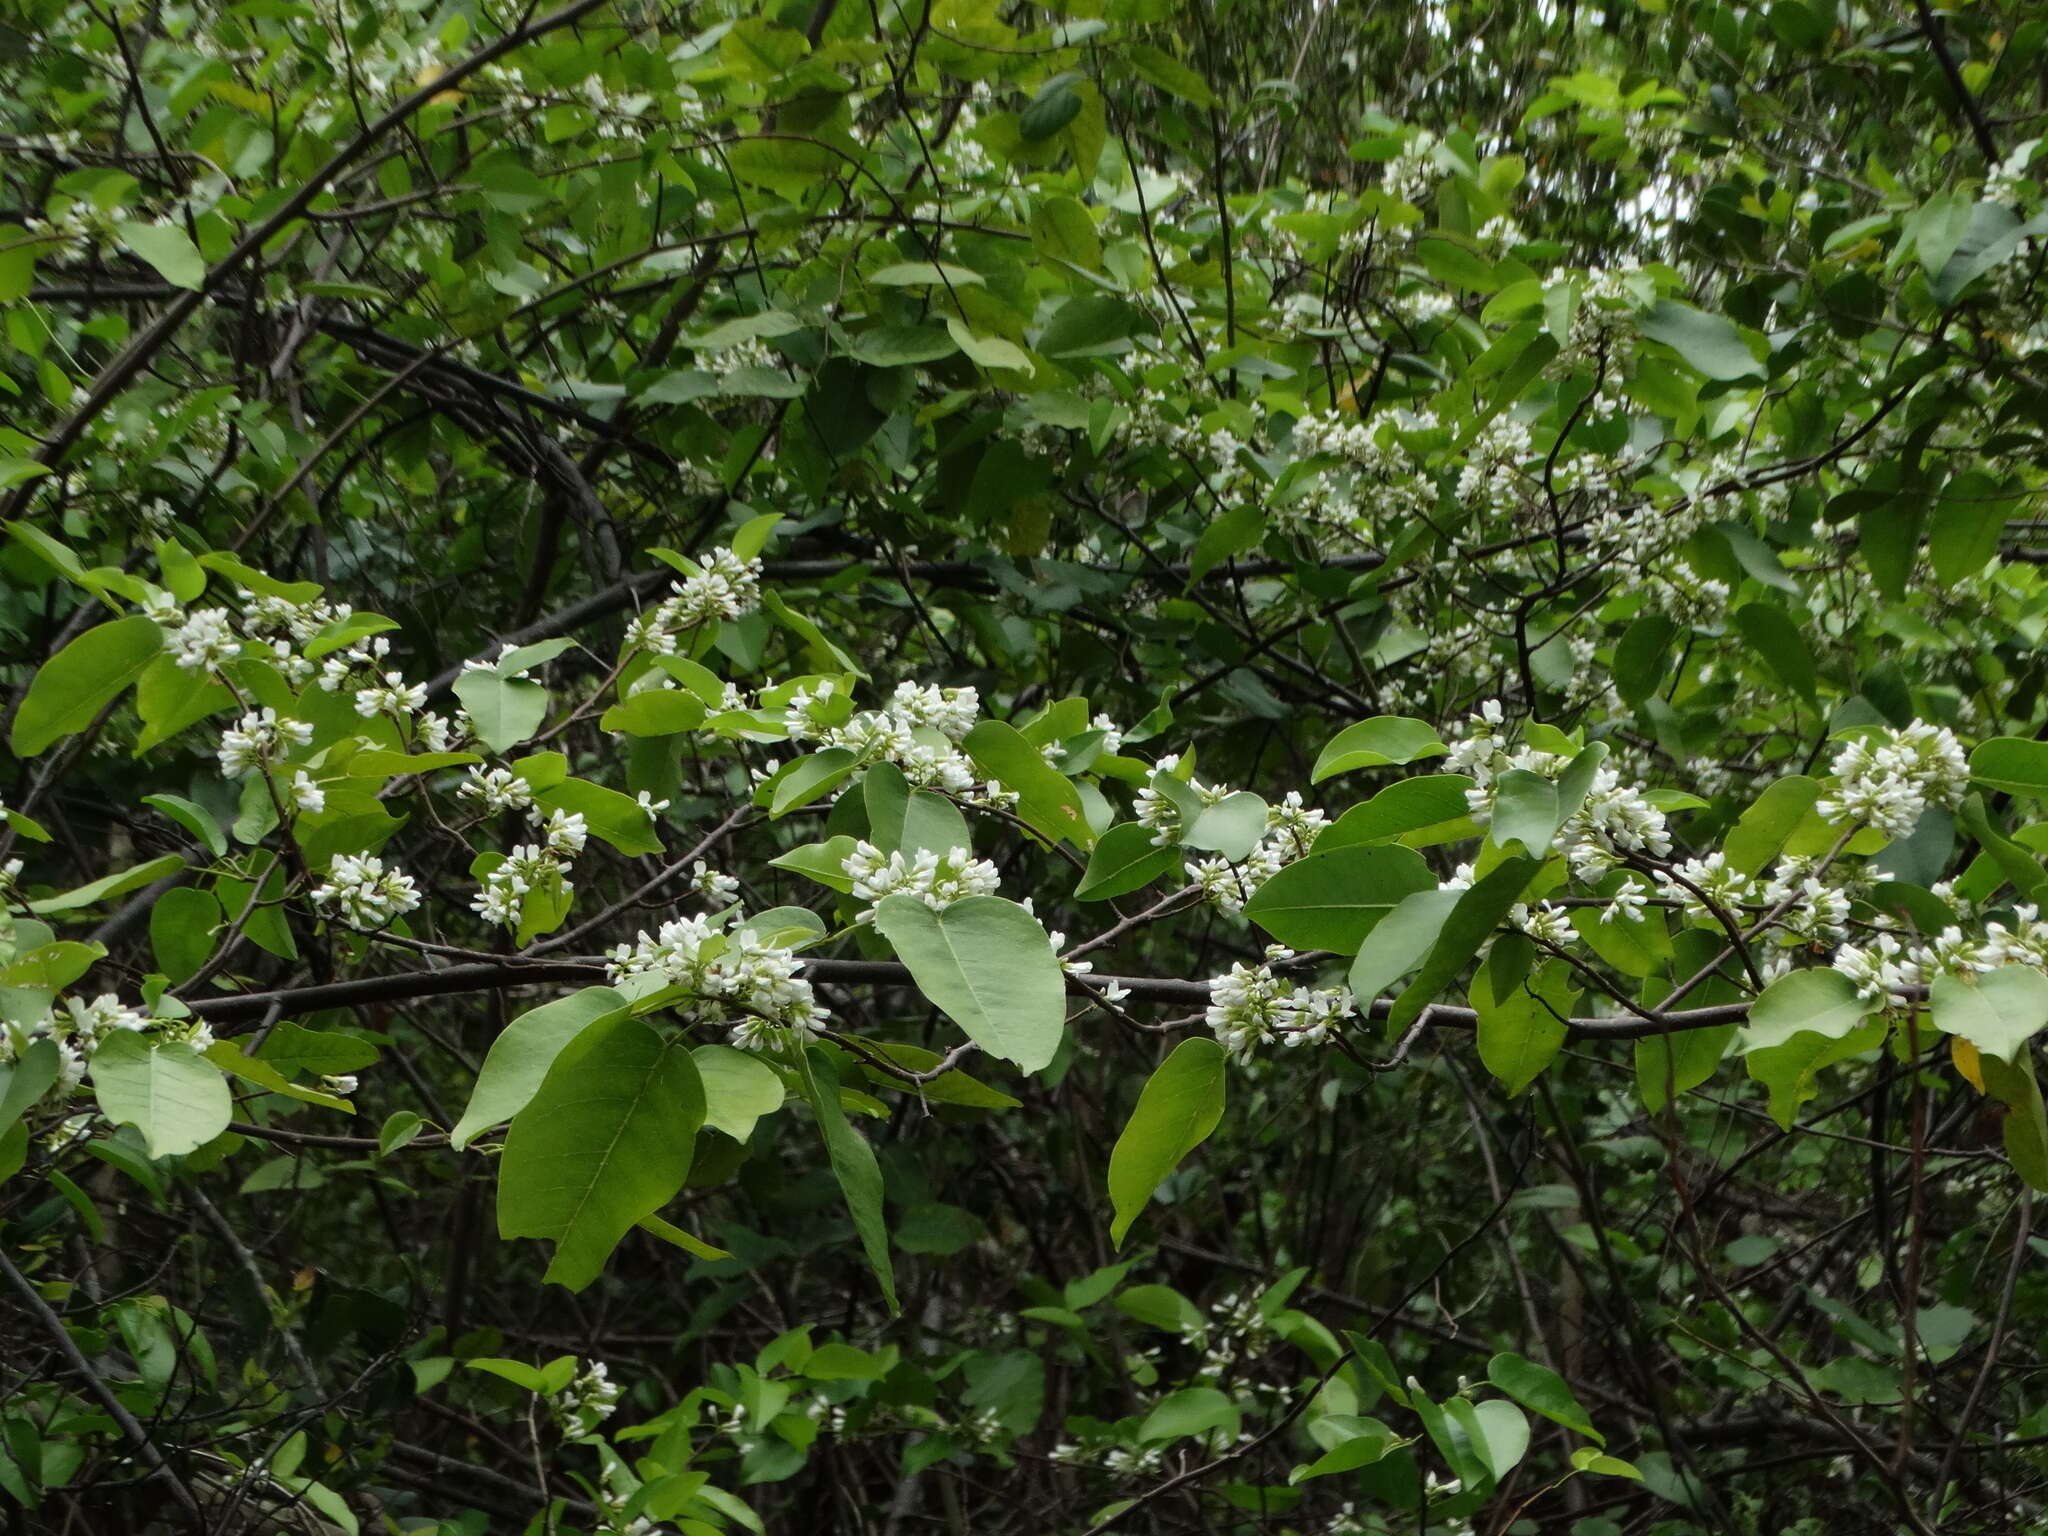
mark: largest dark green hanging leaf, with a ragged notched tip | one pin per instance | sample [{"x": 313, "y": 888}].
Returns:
[{"x": 605, "y": 1144}]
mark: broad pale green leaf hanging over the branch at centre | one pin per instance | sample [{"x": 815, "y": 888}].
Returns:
[{"x": 990, "y": 968}]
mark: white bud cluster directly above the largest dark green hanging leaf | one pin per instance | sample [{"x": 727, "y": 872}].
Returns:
[{"x": 732, "y": 976}]
